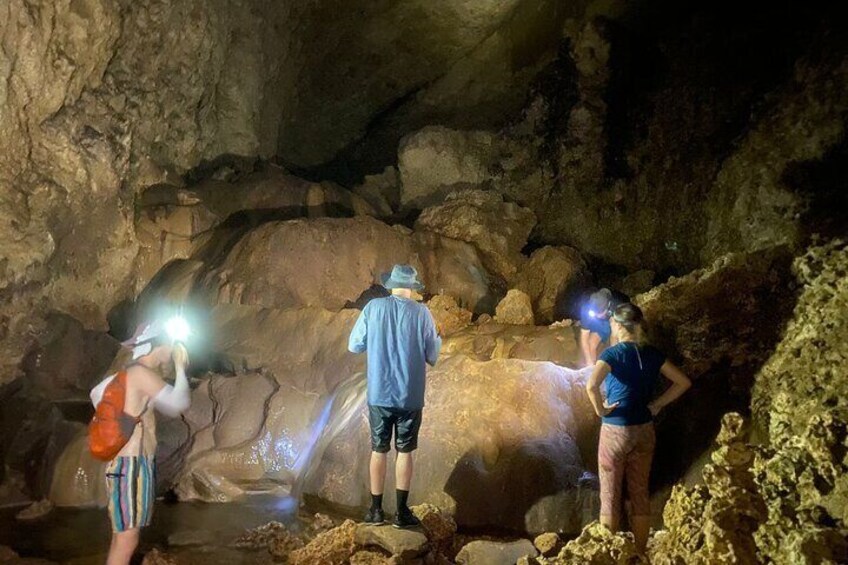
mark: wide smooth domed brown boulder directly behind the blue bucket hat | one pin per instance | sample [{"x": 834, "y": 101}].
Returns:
[{"x": 329, "y": 262}]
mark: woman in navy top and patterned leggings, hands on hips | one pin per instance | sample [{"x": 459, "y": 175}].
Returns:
[{"x": 631, "y": 370}]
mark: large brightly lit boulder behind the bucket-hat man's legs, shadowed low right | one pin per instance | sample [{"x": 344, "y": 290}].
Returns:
[{"x": 504, "y": 443}]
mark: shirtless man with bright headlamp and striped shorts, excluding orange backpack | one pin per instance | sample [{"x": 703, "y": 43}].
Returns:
[{"x": 130, "y": 482}]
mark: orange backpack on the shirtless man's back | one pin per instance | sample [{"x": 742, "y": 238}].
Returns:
[{"x": 111, "y": 428}]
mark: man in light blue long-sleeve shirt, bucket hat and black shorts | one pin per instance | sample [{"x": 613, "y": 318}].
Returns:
[{"x": 400, "y": 337}]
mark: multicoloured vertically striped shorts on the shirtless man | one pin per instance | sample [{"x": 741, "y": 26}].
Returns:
[{"x": 131, "y": 488}]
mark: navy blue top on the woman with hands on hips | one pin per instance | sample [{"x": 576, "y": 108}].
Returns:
[{"x": 631, "y": 382}]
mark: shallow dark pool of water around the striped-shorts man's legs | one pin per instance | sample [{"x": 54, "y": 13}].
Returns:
[{"x": 202, "y": 532}]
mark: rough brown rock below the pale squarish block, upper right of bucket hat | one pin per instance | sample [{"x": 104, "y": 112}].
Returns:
[{"x": 498, "y": 229}]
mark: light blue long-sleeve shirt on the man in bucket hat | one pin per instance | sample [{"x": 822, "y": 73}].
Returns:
[{"x": 400, "y": 337}]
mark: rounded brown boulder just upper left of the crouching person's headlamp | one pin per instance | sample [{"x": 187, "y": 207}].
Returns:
[{"x": 553, "y": 278}]
